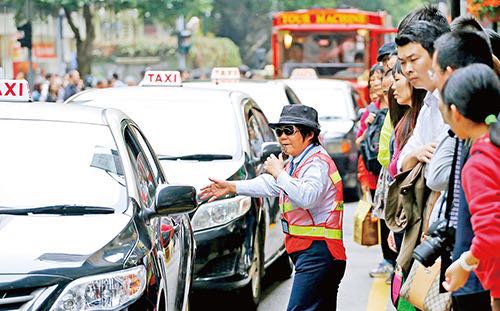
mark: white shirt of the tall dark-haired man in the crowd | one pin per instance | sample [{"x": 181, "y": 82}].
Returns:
[{"x": 430, "y": 125}]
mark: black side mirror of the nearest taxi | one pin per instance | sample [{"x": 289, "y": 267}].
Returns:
[{"x": 175, "y": 199}]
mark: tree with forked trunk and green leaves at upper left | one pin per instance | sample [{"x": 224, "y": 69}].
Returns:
[{"x": 163, "y": 10}]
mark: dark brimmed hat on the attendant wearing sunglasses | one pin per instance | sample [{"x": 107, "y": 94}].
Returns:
[{"x": 298, "y": 115}]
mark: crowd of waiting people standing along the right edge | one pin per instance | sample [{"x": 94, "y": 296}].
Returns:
[{"x": 430, "y": 157}]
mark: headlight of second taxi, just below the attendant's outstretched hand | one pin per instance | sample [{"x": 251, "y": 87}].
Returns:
[{"x": 220, "y": 212}]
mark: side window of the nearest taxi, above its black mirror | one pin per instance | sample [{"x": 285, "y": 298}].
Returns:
[{"x": 145, "y": 176}]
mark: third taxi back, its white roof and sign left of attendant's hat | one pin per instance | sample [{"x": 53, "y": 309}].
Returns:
[{"x": 271, "y": 96}]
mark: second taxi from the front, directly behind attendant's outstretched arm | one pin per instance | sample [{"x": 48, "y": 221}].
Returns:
[{"x": 201, "y": 133}]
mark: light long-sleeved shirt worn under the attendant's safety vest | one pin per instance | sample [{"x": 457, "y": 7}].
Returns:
[{"x": 310, "y": 190}]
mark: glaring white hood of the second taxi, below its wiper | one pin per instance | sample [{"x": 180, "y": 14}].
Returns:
[{"x": 196, "y": 173}]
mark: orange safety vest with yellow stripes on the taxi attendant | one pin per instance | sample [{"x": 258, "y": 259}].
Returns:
[{"x": 301, "y": 226}]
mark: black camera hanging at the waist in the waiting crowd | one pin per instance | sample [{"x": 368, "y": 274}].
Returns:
[{"x": 440, "y": 241}]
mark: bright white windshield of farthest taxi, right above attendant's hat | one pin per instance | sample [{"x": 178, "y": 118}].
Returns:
[{"x": 330, "y": 103}]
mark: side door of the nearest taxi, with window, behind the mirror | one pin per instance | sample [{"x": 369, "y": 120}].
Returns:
[{"x": 167, "y": 231}]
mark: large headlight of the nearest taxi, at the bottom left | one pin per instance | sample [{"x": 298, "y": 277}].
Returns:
[{"x": 107, "y": 291}]
